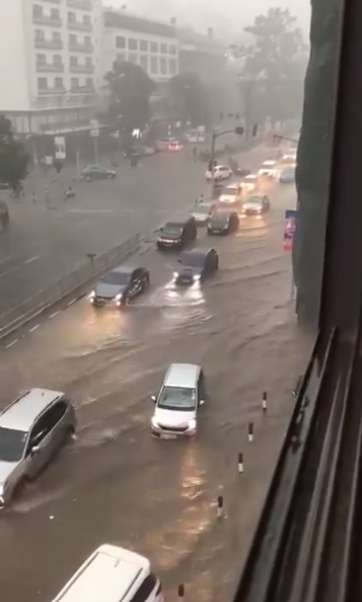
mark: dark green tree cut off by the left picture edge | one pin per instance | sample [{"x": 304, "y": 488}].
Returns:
[{"x": 14, "y": 159}]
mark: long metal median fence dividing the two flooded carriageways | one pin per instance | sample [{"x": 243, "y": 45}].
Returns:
[{"x": 71, "y": 283}]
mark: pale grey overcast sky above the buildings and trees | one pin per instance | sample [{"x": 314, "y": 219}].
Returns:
[{"x": 203, "y": 13}]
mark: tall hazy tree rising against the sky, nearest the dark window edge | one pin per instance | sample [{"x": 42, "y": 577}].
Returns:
[{"x": 274, "y": 67}]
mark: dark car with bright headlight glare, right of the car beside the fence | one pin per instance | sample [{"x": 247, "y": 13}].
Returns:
[{"x": 196, "y": 265}]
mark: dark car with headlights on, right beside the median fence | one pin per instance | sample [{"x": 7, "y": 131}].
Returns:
[{"x": 120, "y": 285}]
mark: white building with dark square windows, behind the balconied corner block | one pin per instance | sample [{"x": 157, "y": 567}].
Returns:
[{"x": 151, "y": 44}]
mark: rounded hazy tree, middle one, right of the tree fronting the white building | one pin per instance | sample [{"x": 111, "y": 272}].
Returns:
[{"x": 188, "y": 100}]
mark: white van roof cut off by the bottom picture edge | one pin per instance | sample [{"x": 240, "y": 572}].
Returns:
[{"x": 113, "y": 574}]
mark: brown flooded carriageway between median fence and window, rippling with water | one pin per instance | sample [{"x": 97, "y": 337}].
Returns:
[{"x": 115, "y": 484}]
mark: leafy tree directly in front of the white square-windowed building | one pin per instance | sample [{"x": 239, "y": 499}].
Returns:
[{"x": 130, "y": 89}]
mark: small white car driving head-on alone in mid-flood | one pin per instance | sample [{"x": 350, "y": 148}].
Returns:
[{"x": 178, "y": 402}]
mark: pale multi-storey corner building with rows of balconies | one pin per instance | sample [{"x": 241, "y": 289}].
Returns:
[{"x": 49, "y": 64}]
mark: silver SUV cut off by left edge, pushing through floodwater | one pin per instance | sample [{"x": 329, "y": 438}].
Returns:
[{"x": 32, "y": 429}]
